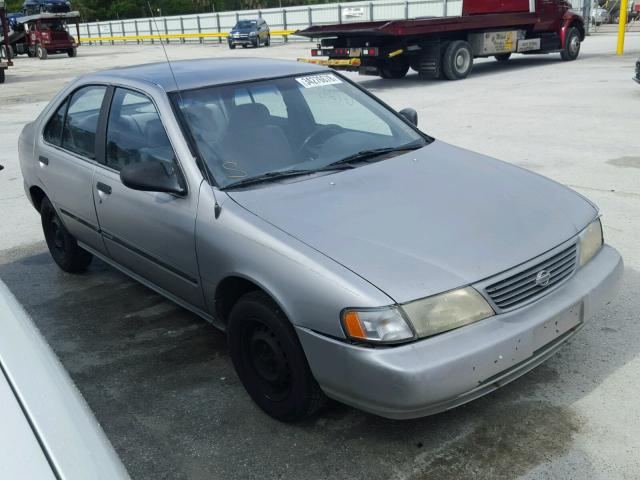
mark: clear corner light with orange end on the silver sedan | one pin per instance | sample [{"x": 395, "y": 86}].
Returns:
[{"x": 376, "y": 325}]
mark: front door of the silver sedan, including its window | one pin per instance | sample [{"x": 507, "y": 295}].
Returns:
[{"x": 150, "y": 234}]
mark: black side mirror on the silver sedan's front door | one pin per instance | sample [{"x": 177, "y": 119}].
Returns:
[{"x": 152, "y": 176}]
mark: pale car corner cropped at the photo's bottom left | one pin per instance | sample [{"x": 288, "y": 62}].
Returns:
[{"x": 48, "y": 430}]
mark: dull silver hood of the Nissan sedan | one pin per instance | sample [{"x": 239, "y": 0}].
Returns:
[{"x": 427, "y": 221}]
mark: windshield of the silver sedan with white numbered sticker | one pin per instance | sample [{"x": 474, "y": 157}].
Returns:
[{"x": 303, "y": 123}]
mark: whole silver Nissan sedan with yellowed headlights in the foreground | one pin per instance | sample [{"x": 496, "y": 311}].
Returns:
[{"x": 344, "y": 251}]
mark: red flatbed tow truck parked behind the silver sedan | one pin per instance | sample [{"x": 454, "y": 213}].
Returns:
[{"x": 446, "y": 46}]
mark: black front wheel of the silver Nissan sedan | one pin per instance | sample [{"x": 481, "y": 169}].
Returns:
[{"x": 269, "y": 359}]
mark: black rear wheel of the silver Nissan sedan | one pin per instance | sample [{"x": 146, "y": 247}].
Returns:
[{"x": 63, "y": 247}]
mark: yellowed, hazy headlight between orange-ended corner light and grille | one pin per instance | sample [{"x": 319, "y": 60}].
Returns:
[{"x": 447, "y": 311}]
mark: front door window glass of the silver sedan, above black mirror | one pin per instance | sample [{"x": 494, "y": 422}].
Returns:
[{"x": 135, "y": 132}]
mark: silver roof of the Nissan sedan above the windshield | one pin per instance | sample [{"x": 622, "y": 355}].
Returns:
[{"x": 190, "y": 74}]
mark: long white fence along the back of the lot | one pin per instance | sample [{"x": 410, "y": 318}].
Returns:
[{"x": 211, "y": 27}]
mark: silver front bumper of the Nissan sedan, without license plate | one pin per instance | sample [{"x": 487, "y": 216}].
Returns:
[{"x": 442, "y": 372}]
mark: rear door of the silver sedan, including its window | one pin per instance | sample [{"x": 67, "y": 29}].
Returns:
[{"x": 67, "y": 160}]
